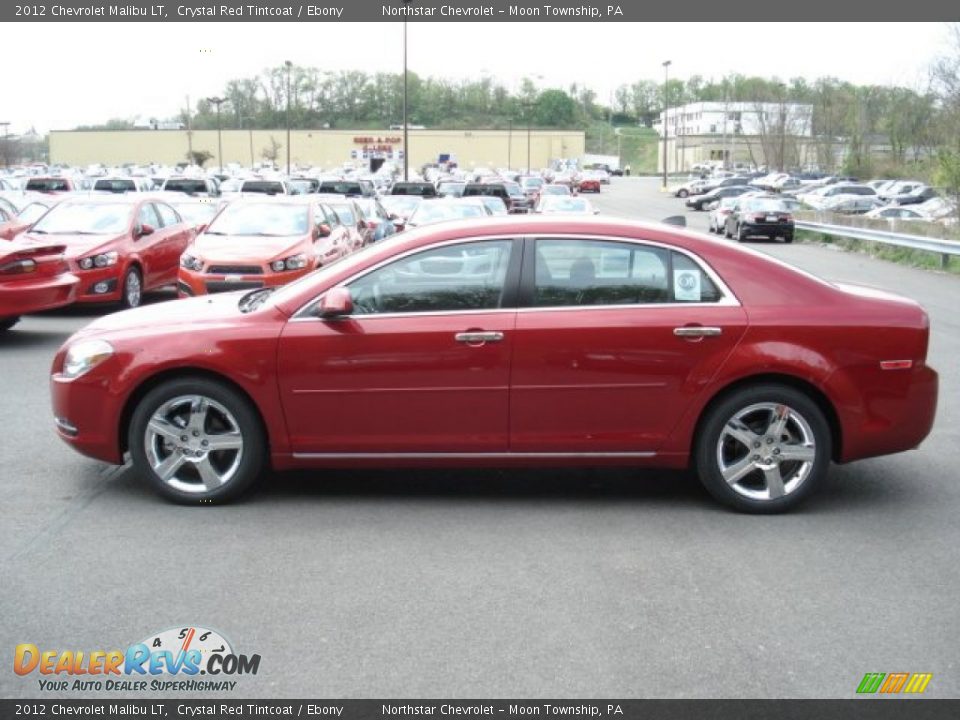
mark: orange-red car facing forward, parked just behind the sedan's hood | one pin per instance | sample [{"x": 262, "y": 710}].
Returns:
[{"x": 264, "y": 242}]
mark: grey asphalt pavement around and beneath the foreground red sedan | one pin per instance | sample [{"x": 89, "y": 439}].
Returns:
[{"x": 593, "y": 583}]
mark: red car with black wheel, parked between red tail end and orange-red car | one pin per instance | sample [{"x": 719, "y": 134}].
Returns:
[{"x": 119, "y": 246}]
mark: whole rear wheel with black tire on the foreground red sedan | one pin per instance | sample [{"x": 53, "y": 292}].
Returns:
[{"x": 799, "y": 478}]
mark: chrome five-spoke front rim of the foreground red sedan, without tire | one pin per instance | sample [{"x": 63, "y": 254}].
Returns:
[{"x": 193, "y": 444}]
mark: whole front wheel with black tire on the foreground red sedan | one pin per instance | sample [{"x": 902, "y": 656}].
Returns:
[{"x": 197, "y": 441}]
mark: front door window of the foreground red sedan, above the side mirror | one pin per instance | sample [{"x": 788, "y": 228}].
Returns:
[{"x": 468, "y": 276}]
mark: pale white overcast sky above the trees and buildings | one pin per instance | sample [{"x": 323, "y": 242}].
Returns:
[{"x": 87, "y": 73}]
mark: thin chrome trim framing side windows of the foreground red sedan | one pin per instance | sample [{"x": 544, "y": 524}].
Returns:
[{"x": 728, "y": 299}]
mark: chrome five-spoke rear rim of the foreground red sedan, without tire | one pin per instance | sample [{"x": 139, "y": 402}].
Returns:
[{"x": 766, "y": 451}]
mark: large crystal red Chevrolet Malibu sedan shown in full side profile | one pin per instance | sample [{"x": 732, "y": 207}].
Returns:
[{"x": 510, "y": 342}]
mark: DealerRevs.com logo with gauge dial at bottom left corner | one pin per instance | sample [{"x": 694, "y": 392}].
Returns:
[{"x": 172, "y": 660}]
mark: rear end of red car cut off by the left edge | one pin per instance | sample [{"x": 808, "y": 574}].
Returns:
[{"x": 33, "y": 277}]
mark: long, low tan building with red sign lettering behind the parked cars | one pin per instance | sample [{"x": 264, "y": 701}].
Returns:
[{"x": 320, "y": 148}]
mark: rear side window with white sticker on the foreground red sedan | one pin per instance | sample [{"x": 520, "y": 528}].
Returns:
[{"x": 600, "y": 272}]
